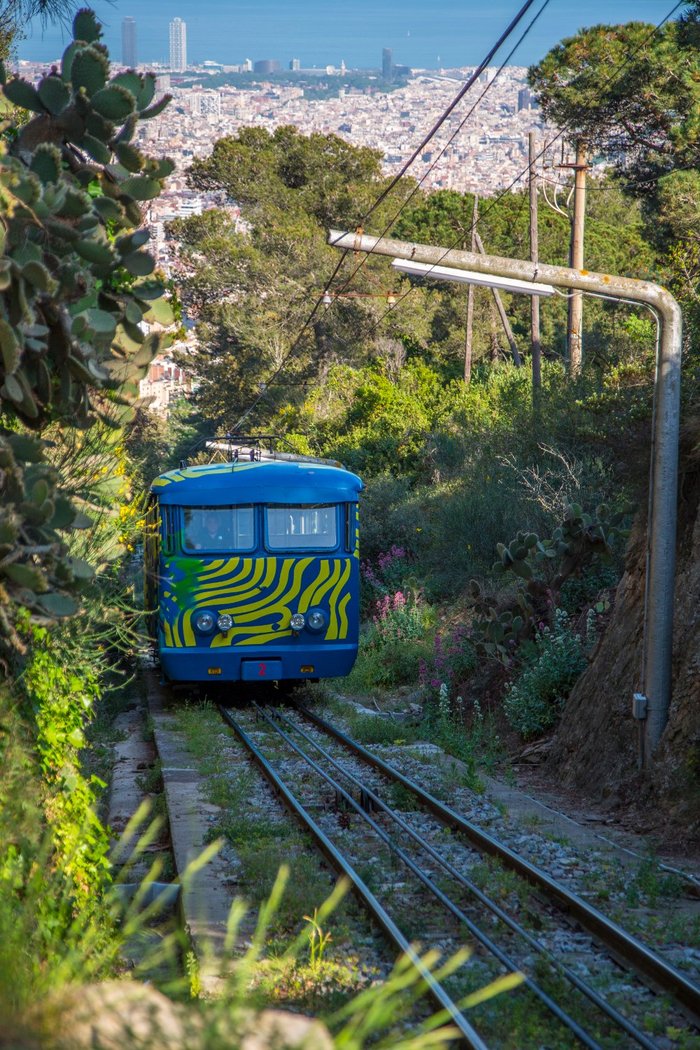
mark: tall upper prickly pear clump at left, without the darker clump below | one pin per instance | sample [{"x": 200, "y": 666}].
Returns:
[{"x": 76, "y": 281}]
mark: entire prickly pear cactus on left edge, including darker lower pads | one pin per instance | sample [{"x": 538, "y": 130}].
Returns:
[{"x": 76, "y": 284}]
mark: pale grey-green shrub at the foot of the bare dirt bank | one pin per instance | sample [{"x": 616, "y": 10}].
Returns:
[{"x": 534, "y": 701}]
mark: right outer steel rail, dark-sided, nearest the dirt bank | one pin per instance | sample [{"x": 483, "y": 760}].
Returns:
[{"x": 616, "y": 939}]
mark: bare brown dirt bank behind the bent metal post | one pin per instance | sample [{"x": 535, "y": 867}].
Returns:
[{"x": 597, "y": 745}]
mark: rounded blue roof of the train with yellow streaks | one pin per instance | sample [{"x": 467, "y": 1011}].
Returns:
[{"x": 264, "y": 481}]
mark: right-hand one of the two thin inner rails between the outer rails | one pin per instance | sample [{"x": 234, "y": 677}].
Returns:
[{"x": 614, "y": 1016}]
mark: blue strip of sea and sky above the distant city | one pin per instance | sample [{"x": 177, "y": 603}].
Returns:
[{"x": 422, "y": 34}]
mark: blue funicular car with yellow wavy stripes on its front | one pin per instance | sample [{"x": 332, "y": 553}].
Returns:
[{"x": 252, "y": 566}]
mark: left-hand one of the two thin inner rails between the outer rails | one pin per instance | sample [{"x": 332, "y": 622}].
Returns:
[{"x": 480, "y": 936}]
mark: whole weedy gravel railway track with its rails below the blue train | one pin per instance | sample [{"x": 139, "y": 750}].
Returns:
[{"x": 375, "y": 826}]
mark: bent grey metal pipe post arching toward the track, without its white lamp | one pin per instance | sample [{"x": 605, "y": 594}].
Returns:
[{"x": 656, "y": 680}]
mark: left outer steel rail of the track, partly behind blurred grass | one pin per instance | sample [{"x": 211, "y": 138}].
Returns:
[{"x": 471, "y": 1037}]
